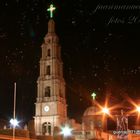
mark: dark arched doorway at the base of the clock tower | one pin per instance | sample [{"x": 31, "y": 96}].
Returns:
[{"x": 46, "y": 128}]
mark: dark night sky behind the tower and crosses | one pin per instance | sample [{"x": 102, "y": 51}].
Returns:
[{"x": 99, "y": 54}]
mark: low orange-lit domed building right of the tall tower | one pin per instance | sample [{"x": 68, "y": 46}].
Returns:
[{"x": 93, "y": 126}]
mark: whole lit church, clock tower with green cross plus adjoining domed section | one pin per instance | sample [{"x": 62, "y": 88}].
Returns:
[{"x": 50, "y": 106}]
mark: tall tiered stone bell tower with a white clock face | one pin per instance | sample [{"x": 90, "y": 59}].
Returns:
[{"x": 50, "y": 106}]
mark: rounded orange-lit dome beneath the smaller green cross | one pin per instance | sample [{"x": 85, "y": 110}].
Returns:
[{"x": 91, "y": 111}]
